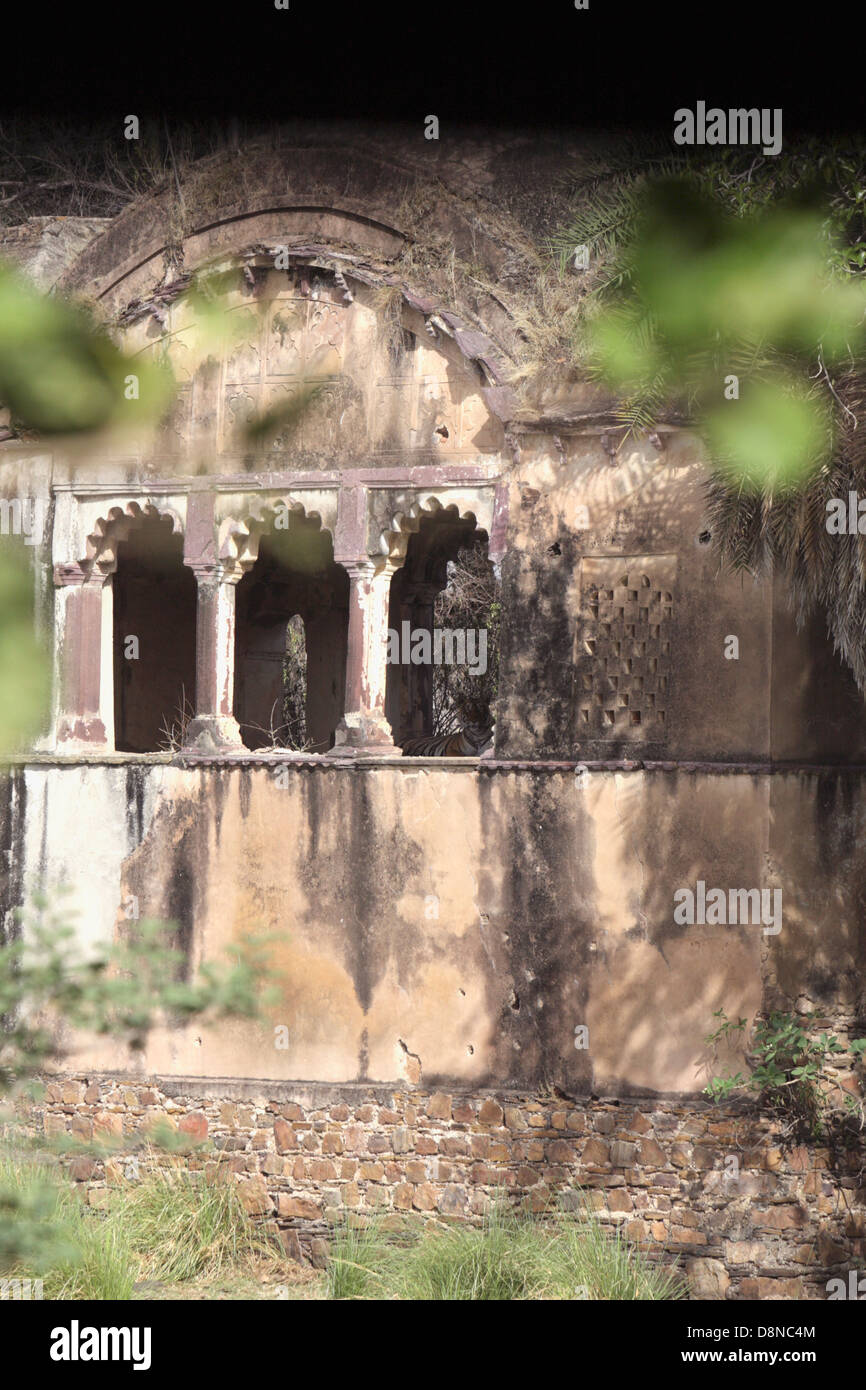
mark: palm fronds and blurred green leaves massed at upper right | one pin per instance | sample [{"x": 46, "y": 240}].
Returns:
[{"x": 762, "y": 281}]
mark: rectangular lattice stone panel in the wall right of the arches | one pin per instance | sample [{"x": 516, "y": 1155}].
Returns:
[{"x": 623, "y": 647}]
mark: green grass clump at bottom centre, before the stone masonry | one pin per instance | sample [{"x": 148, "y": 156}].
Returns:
[{"x": 514, "y": 1256}]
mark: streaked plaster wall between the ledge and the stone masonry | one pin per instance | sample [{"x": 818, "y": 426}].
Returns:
[{"x": 457, "y": 925}]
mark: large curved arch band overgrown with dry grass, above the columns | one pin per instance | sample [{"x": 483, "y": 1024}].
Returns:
[{"x": 362, "y": 205}]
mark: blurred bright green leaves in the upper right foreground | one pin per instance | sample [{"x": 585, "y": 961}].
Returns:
[{"x": 705, "y": 297}]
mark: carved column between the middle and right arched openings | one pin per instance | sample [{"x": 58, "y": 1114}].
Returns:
[{"x": 363, "y": 726}]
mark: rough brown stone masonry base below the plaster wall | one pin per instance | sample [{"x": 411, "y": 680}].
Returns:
[{"x": 712, "y": 1186}]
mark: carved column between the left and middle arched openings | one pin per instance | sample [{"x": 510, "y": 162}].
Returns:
[{"x": 215, "y": 726}]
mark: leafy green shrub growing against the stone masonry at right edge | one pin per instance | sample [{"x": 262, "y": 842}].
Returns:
[{"x": 789, "y": 1070}]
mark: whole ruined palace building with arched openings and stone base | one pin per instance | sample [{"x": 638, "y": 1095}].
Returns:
[{"x": 446, "y": 928}]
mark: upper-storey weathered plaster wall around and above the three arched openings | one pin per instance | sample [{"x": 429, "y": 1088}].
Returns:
[{"x": 580, "y": 498}]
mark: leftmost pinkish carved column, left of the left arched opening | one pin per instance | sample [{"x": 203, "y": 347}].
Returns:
[{"x": 85, "y": 689}]
